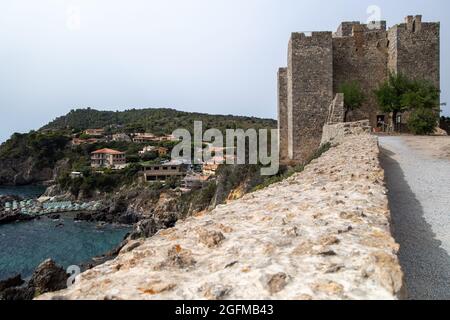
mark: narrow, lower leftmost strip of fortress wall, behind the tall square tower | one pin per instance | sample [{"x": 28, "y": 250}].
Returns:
[{"x": 283, "y": 115}]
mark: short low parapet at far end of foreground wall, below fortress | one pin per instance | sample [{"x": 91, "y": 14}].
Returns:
[{"x": 336, "y": 133}]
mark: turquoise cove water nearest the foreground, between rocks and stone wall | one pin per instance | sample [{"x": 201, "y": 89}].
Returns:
[{"x": 24, "y": 245}]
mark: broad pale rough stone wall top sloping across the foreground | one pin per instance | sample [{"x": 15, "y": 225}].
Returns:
[{"x": 321, "y": 234}]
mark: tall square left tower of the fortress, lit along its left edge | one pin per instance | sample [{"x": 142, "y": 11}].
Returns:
[{"x": 310, "y": 91}]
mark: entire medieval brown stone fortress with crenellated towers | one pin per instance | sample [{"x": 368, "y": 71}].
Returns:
[{"x": 319, "y": 63}]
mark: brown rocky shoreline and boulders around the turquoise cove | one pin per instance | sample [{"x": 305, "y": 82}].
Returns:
[{"x": 143, "y": 209}]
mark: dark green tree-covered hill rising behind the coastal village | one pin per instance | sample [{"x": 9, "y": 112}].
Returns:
[{"x": 48, "y": 153}]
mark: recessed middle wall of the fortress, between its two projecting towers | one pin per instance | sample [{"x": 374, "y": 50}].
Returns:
[{"x": 361, "y": 57}]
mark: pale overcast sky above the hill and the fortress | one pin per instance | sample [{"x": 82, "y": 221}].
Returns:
[{"x": 214, "y": 56}]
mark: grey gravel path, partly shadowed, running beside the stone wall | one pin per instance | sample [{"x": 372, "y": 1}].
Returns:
[{"x": 419, "y": 196}]
